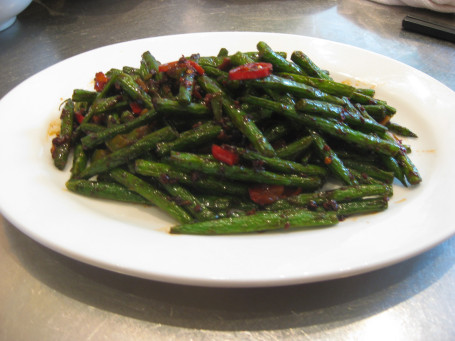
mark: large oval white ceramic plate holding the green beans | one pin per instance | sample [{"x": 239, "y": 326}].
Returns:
[{"x": 134, "y": 240}]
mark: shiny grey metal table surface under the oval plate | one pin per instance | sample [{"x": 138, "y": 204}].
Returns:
[{"x": 47, "y": 296}]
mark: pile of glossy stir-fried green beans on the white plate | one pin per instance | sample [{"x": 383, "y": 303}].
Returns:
[{"x": 311, "y": 151}]
